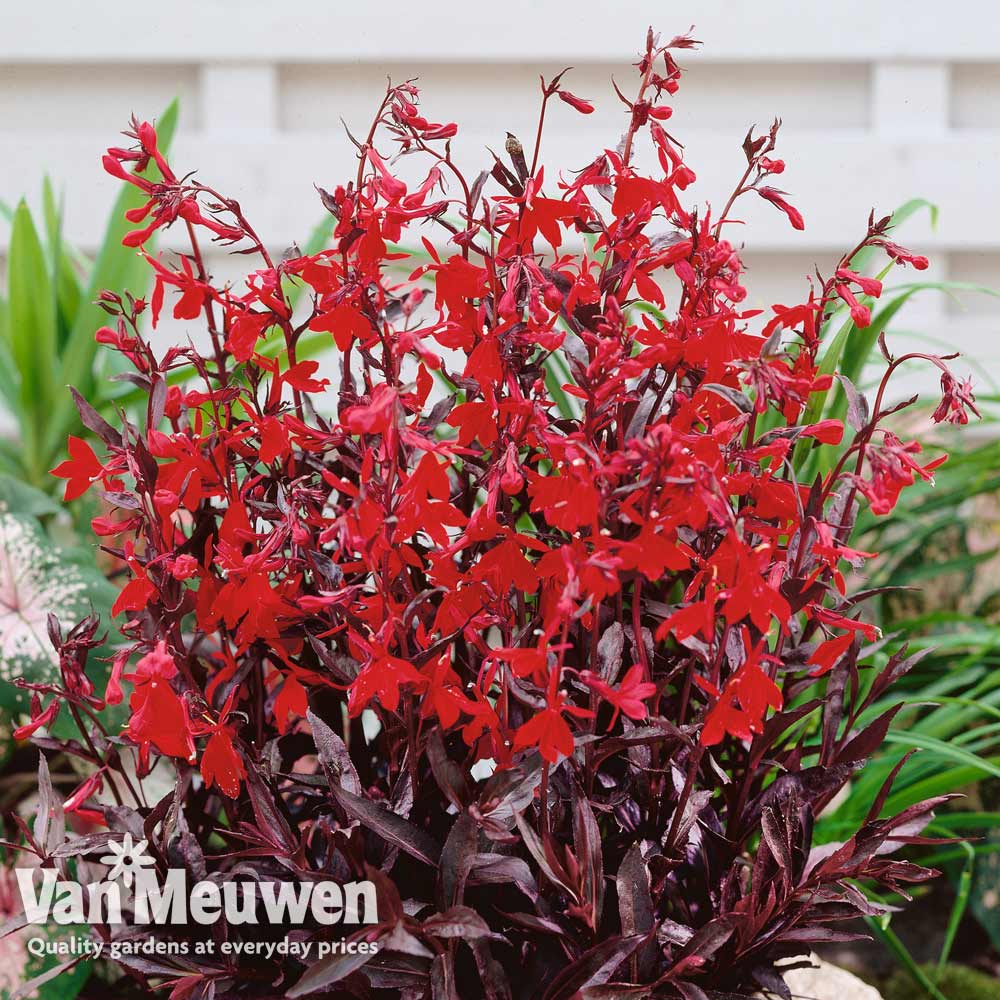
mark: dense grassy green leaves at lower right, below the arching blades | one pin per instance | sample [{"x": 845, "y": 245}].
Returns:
[{"x": 936, "y": 551}]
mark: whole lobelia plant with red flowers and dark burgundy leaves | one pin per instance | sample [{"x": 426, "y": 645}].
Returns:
[{"x": 563, "y": 659}]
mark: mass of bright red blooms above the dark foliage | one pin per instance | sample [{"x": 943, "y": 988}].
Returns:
[{"x": 460, "y": 548}]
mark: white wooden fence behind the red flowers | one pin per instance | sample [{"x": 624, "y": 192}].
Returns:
[{"x": 880, "y": 103}]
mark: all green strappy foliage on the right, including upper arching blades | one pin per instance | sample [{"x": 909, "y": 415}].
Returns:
[{"x": 927, "y": 592}]
